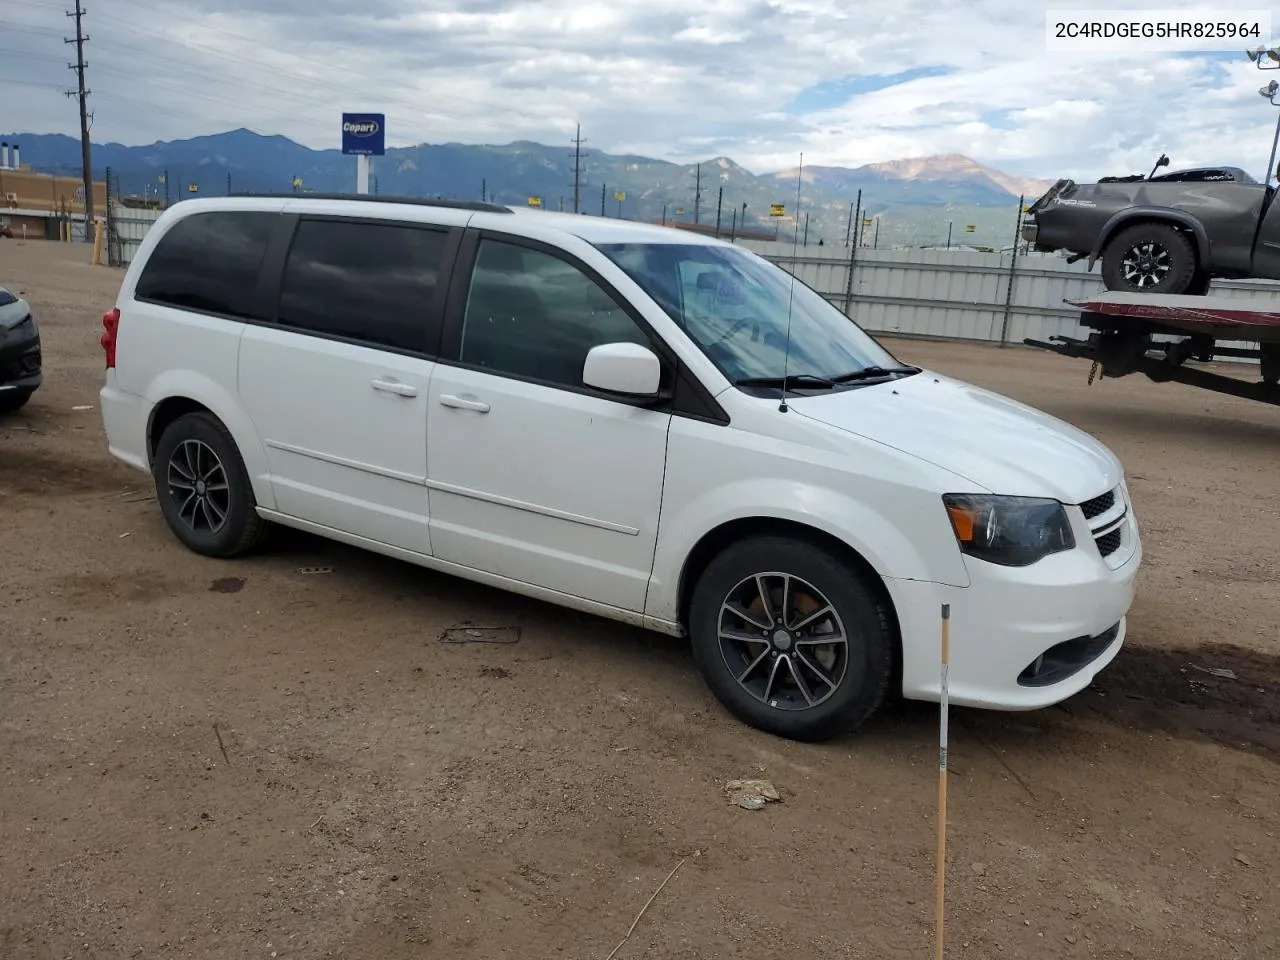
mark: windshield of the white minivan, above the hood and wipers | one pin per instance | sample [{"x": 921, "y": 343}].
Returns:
[{"x": 735, "y": 305}]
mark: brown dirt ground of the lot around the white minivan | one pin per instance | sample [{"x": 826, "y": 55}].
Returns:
[{"x": 239, "y": 760}]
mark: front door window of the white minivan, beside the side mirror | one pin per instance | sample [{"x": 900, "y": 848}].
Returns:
[{"x": 532, "y": 314}]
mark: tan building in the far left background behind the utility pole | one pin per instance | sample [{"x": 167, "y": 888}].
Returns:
[{"x": 38, "y": 205}]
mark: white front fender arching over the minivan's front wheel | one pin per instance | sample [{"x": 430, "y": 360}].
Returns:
[{"x": 915, "y": 543}]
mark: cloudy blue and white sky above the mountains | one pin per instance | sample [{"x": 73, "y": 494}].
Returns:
[{"x": 845, "y": 81}]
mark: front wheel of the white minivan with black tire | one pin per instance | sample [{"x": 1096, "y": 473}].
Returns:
[{"x": 854, "y": 689}]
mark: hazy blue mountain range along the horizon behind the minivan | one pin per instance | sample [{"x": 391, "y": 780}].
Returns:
[{"x": 916, "y": 199}]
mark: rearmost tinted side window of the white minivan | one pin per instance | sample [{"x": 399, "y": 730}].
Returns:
[{"x": 209, "y": 262}]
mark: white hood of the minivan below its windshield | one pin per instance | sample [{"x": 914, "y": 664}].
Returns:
[{"x": 994, "y": 442}]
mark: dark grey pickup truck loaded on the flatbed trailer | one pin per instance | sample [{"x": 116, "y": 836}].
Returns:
[{"x": 1171, "y": 234}]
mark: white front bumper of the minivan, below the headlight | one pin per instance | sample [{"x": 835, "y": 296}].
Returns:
[{"x": 1022, "y": 639}]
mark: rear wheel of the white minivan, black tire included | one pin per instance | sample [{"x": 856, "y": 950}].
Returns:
[{"x": 184, "y": 458}]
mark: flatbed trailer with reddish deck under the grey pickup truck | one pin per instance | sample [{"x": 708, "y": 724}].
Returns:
[{"x": 1124, "y": 326}]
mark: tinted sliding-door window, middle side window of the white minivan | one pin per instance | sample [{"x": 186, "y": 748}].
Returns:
[{"x": 373, "y": 284}]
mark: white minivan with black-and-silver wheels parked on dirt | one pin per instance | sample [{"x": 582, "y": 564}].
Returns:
[{"x": 641, "y": 423}]
